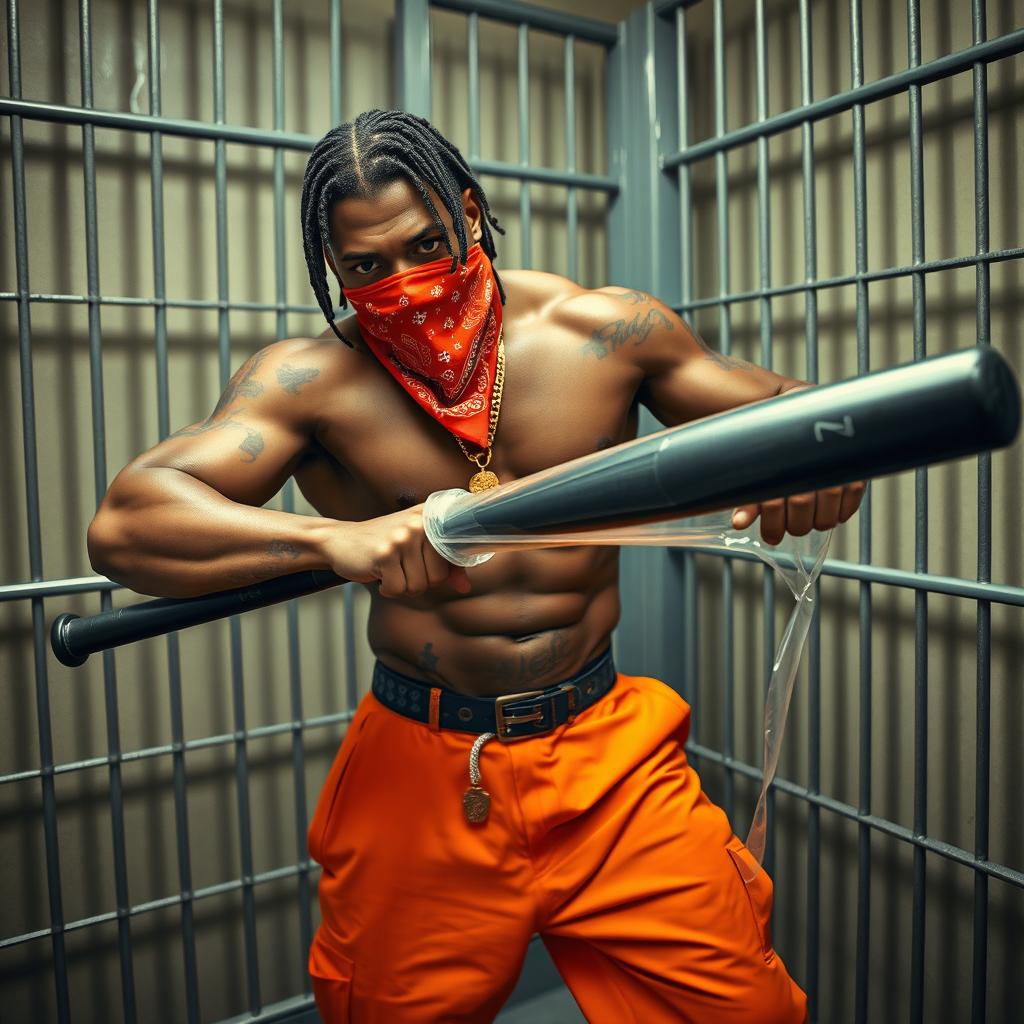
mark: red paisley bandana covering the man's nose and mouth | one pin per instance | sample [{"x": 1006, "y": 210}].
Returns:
[{"x": 437, "y": 333}]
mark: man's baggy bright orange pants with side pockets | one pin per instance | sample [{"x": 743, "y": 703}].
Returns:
[{"x": 600, "y": 838}]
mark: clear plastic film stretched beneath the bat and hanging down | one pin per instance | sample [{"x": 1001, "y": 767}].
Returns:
[{"x": 797, "y": 561}]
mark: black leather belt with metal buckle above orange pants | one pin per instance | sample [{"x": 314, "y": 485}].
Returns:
[{"x": 511, "y": 716}]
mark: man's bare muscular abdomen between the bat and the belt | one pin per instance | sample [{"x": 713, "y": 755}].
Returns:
[{"x": 532, "y": 620}]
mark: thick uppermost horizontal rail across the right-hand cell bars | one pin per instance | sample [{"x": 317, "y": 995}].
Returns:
[{"x": 941, "y": 68}]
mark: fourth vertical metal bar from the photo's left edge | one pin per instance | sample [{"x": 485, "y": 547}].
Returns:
[{"x": 238, "y": 682}]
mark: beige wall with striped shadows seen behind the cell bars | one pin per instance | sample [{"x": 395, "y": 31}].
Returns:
[{"x": 65, "y": 426}]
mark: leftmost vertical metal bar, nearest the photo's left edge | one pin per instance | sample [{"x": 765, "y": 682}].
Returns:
[{"x": 39, "y": 629}]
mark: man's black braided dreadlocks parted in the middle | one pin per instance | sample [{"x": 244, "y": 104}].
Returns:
[{"x": 360, "y": 158}]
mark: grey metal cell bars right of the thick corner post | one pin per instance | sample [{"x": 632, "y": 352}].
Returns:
[{"x": 921, "y": 582}]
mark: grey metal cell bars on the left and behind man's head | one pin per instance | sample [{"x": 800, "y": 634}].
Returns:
[{"x": 37, "y": 590}]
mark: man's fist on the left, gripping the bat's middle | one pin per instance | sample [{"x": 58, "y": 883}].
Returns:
[{"x": 395, "y": 550}]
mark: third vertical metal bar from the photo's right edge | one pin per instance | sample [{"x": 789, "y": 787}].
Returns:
[{"x": 865, "y": 787}]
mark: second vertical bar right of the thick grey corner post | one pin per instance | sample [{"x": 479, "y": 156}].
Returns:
[{"x": 726, "y": 346}]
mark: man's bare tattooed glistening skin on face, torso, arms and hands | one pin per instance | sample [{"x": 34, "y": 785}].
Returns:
[{"x": 579, "y": 363}]
